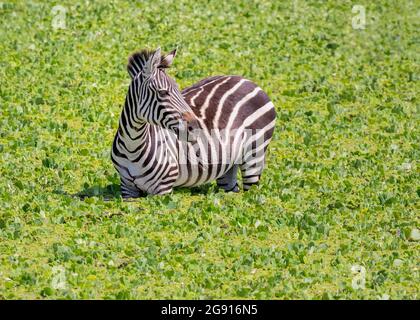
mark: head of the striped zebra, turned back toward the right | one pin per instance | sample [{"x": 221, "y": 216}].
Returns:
[{"x": 157, "y": 97}]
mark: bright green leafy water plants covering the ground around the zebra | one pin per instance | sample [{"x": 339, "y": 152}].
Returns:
[{"x": 341, "y": 186}]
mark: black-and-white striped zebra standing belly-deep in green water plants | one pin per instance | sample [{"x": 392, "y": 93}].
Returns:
[{"x": 168, "y": 138}]
